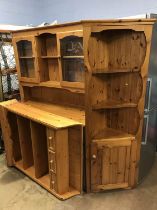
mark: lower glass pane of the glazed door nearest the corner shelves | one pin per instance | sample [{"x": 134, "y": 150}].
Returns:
[{"x": 73, "y": 70}]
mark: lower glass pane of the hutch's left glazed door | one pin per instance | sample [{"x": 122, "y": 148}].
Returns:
[{"x": 27, "y": 67}]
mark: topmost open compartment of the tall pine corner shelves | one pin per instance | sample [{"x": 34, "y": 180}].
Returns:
[{"x": 116, "y": 52}]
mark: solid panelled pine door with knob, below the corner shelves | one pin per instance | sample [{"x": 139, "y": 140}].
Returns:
[{"x": 110, "y": 165}]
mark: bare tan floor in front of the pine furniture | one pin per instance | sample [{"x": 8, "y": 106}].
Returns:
[{"x": 18, "y": 192}]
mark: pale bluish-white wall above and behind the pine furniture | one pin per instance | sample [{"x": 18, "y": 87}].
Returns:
[{"x": 36, "y": 11}]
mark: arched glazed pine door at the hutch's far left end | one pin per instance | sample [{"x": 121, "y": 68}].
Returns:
[{"x": 26, "y": 59}]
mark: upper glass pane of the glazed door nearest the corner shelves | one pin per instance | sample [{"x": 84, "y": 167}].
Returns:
[{"x": 72, "y": 45}]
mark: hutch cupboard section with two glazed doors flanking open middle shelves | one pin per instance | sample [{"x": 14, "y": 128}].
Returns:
[{"x": 52, "y": 57}]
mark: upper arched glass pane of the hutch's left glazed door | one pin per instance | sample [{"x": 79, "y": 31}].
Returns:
[{"x": 24, "y": 48}]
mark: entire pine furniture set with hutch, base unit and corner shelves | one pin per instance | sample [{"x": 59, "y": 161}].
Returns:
[{"x": 80, "y": 121}]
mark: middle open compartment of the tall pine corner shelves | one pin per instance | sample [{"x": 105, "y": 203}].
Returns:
[{"x": 116, "y": 91}]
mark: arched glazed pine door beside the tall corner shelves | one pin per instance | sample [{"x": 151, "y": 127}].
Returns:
[{"x": 72, "y": 59}]
